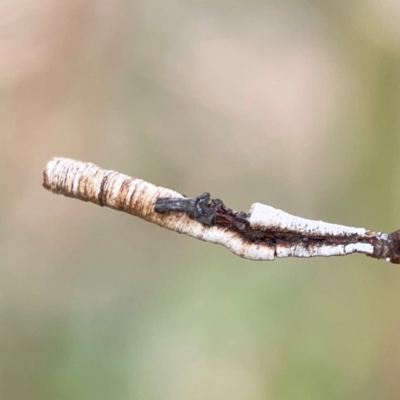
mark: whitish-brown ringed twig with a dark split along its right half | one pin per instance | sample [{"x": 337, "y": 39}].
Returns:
[{"x": 262, "y": 234}]
